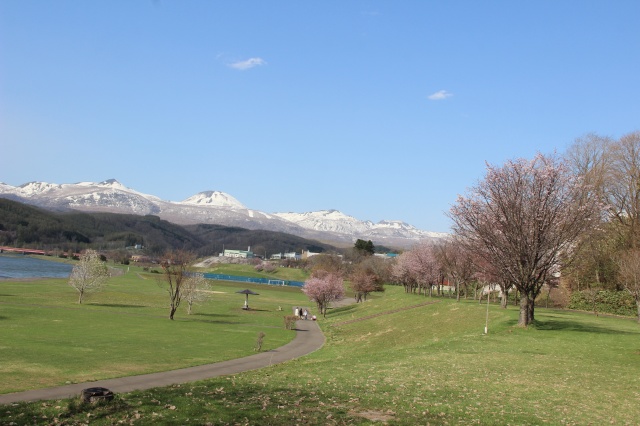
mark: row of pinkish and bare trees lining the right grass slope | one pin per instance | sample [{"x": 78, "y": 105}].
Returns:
[{"x": 570, "y": 220}]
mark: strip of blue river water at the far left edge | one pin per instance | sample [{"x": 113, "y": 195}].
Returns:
[{"x": 18, "y": 266}]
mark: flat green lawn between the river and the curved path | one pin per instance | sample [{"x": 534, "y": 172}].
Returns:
[{"x": 47, "y": 339}]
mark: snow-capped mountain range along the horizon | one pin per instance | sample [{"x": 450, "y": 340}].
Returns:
[{"x": 214, "y": 207}]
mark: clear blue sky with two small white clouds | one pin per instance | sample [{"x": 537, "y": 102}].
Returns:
[{"x": 379, "y": 109}]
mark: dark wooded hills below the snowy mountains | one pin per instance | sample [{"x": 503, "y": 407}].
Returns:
[{"x": 23, "y": 225}]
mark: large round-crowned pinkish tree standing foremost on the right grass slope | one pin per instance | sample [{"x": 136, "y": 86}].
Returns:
[{"x": 525, "y": 215}]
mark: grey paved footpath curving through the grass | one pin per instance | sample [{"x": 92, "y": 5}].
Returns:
[{"x": 308, "y": 338}]
